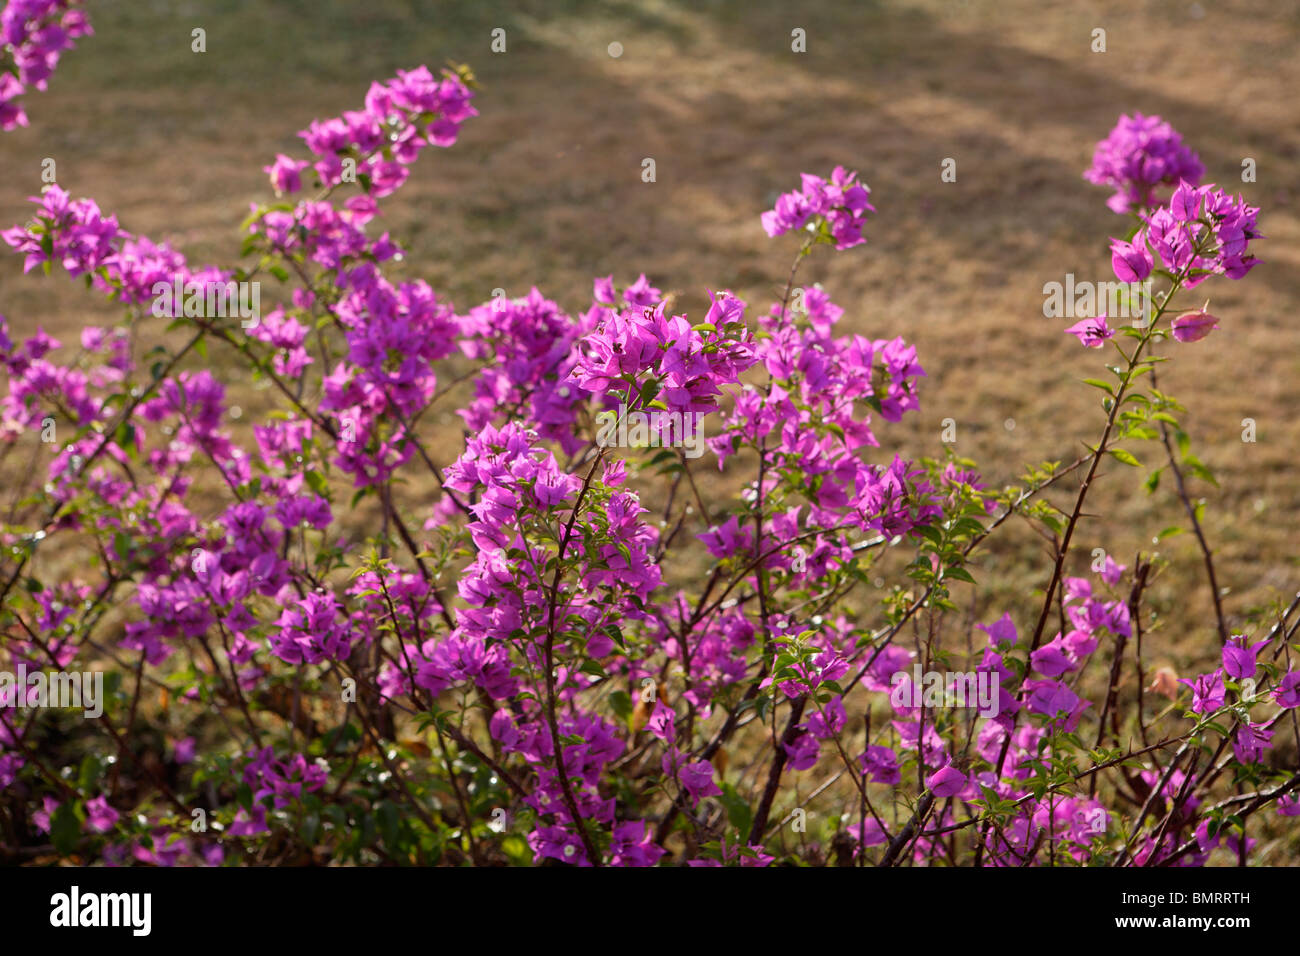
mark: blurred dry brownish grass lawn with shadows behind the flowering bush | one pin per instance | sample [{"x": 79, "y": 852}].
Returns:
[{"x": 545, "y": 189}]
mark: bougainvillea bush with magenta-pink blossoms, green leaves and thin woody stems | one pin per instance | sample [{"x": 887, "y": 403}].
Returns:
[{"x": 580, "y": 651}]
